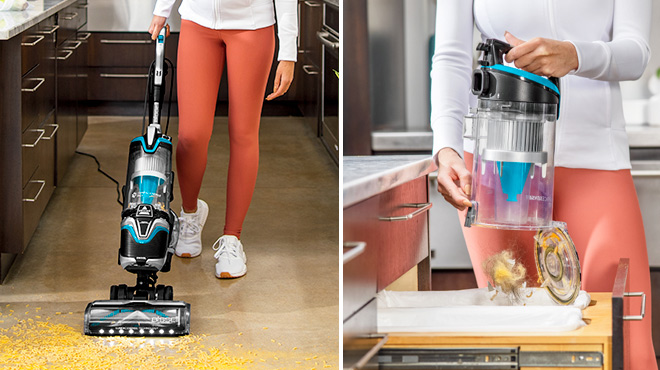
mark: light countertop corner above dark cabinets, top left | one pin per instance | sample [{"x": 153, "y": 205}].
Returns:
[{"x": 14, "y": 22}]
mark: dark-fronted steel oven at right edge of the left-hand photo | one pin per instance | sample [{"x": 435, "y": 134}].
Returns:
[{"x": 329, "y": 37}]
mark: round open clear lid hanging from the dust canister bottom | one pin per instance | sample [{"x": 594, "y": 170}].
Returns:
[{"x": 558, "y": 264}]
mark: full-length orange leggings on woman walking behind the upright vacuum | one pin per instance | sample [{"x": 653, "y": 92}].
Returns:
[{"x": 201, "y": 58}]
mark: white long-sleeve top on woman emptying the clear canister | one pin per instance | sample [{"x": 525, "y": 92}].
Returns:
[{"x": 611, "y": 39}]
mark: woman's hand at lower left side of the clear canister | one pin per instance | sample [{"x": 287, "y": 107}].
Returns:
[{"x": 454, "y": 180}]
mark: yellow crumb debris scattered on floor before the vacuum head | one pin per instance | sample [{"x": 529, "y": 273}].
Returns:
[{"x": 30, "y": 343}]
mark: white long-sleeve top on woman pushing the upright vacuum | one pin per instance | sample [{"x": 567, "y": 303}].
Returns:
[{"x": 242, "y": 15}]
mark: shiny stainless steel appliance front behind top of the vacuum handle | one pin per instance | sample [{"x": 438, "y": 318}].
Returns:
[{"x": 126, "y": 15}]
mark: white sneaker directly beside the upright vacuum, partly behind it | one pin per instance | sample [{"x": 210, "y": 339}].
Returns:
[{"x": 190, "y": 231}]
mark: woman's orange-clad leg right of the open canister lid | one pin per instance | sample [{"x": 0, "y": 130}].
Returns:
[{"x": 602, "y": 214}]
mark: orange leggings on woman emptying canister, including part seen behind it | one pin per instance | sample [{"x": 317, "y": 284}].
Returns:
[{"x": 603, "y": 218}]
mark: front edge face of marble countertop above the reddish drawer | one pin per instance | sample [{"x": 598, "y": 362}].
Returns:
[{"x": 365, "y": 187}]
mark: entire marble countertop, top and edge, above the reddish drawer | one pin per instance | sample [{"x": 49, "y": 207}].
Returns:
[{"x": 366, "y": 176}]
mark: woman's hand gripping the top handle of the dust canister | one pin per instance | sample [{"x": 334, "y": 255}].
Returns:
[{"x": 543, "y": 57}]
